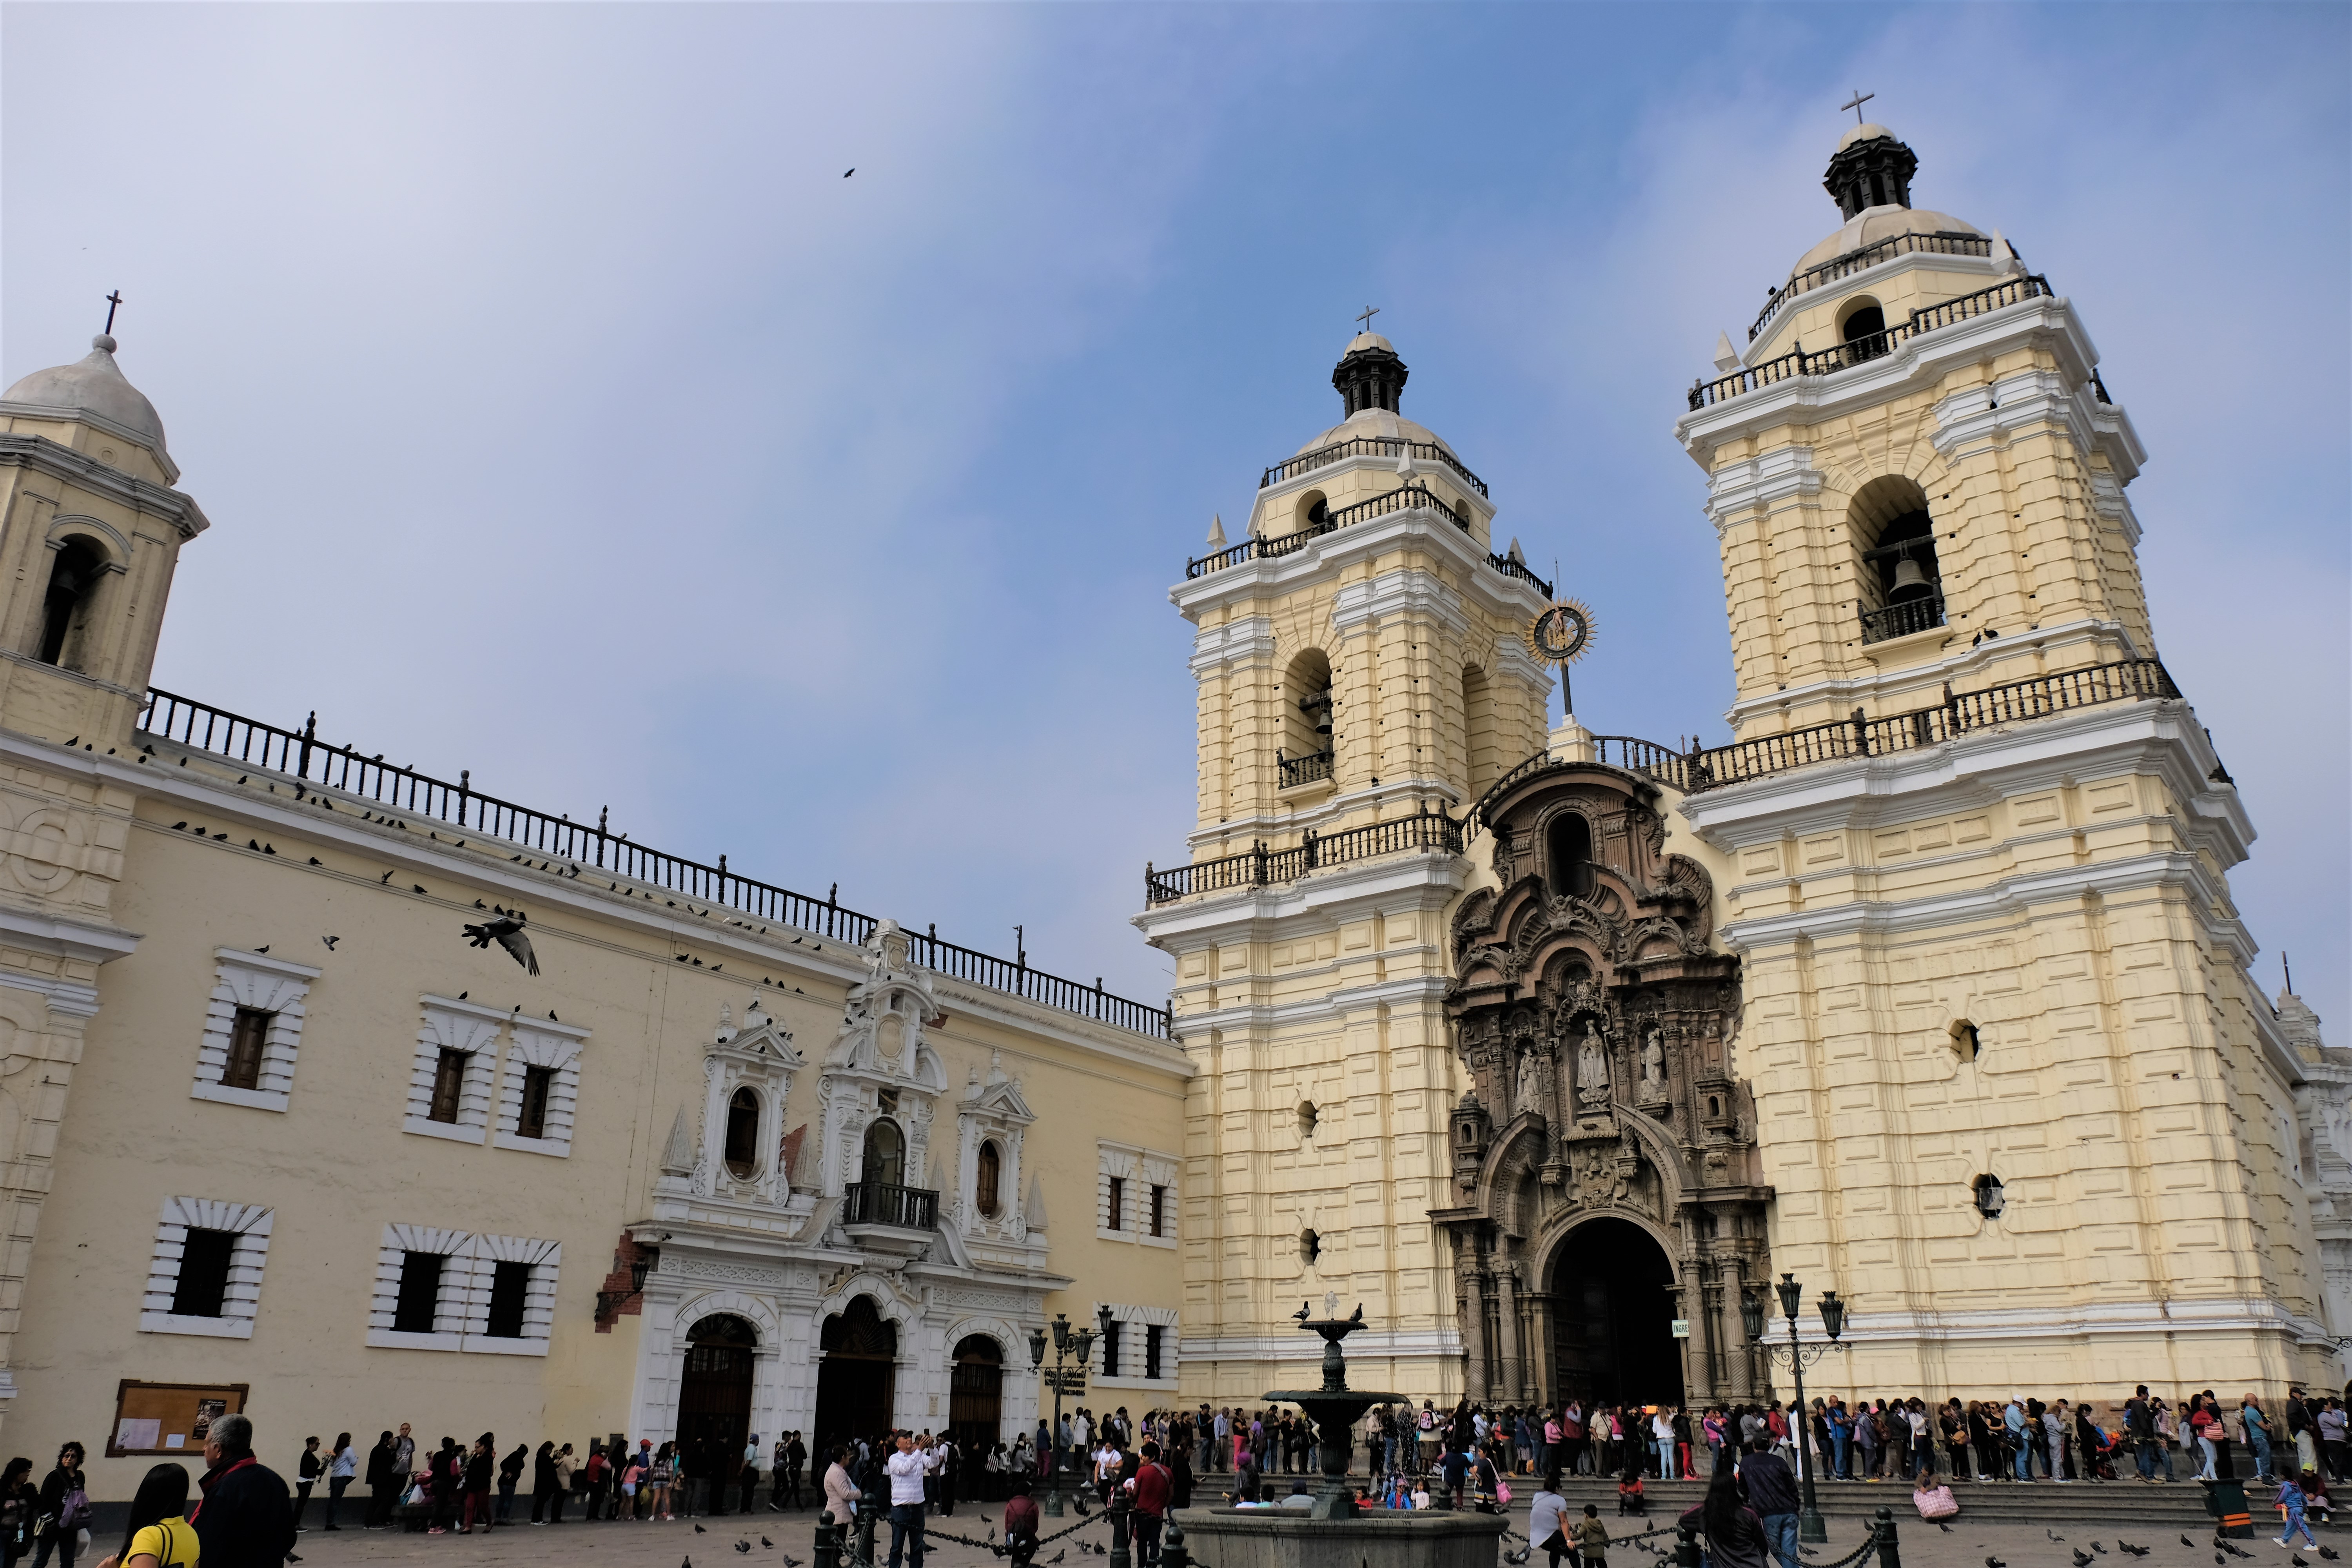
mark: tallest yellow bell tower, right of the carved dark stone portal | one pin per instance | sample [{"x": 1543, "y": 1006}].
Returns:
[{"x": 2017, "y": 1094}]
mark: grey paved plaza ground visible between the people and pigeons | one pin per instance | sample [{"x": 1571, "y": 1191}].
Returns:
[{"x": 667, "y": 1546}]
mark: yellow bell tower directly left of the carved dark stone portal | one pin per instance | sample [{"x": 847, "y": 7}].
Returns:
[{"x": 1363, "y": 681}]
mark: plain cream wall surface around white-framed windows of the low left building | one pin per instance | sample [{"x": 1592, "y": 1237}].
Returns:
[{"x": 338, "y": 1165}]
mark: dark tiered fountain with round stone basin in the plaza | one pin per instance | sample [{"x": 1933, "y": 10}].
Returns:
[{"x": 1339, "y": 1532}]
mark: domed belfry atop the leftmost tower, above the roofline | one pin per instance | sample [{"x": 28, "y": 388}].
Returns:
[{"x": 91, "y": 535}]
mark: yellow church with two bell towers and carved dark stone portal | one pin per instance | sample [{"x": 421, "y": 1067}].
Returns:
[{"x": 1558, "y": 1050}]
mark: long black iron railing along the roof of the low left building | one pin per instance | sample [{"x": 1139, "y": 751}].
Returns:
[{"x": 563, "y": 845}]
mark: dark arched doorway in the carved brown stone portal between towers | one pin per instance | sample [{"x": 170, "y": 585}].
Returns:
[{"x": 1615, "y": 1318}]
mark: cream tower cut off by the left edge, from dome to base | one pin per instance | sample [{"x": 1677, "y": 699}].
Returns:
[{"x": 91, "y": 535}]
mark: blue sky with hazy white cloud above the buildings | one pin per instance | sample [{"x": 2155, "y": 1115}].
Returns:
[{"x": 568, "y": 417}]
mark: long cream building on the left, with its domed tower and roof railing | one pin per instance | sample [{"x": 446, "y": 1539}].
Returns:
[{"x": 347, "y": 1097}]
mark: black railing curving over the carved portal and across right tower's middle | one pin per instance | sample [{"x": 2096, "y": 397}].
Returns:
[{"x": 2132, "y": 681}]
